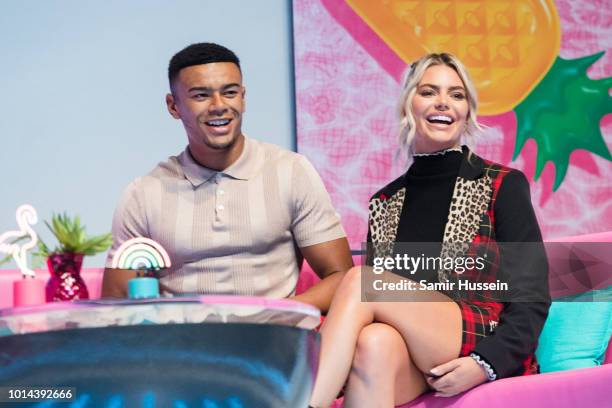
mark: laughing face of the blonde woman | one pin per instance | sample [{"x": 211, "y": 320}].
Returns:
[{"x": 440, "y": 110}]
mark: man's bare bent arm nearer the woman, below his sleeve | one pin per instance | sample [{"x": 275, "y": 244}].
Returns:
[{"x": 330, "y": 260}]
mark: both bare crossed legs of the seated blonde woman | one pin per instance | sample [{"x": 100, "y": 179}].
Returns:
[{"x": 428, "y": 322}]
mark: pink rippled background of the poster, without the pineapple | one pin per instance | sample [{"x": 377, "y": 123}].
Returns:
[{"x": 347, "y": 84}]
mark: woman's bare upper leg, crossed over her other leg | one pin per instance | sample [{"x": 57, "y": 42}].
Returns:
[{"x": 430, "y": 326}]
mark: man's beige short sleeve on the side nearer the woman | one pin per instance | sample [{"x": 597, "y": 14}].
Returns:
[{"x": 314, "y": 218}]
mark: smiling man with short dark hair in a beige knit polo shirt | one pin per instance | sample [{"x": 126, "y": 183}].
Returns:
[{"x": 231, "y": 211}]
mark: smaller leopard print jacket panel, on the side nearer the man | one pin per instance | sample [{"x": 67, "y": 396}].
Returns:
[{"x": 384, "y": 217}]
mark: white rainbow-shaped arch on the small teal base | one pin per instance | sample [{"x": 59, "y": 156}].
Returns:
[{"x": 141, "y": 253}]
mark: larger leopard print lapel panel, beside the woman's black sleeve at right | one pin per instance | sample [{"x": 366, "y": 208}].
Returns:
[{"x": 469, "y": 203}]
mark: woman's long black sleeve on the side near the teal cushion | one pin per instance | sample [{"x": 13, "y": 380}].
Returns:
[{"x": 521, "y": 321}]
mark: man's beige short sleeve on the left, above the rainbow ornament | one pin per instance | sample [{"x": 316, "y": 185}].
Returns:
[{"x": 129, "y": 219}]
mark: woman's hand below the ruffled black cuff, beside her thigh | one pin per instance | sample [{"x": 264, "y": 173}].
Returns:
[{"x": 456, "y": 376}]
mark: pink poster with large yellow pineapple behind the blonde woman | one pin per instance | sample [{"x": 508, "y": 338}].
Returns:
[{"x": 543, "y": 71}]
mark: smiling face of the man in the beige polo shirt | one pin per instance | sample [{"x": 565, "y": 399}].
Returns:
[{"x": 209, "y": 100}]
